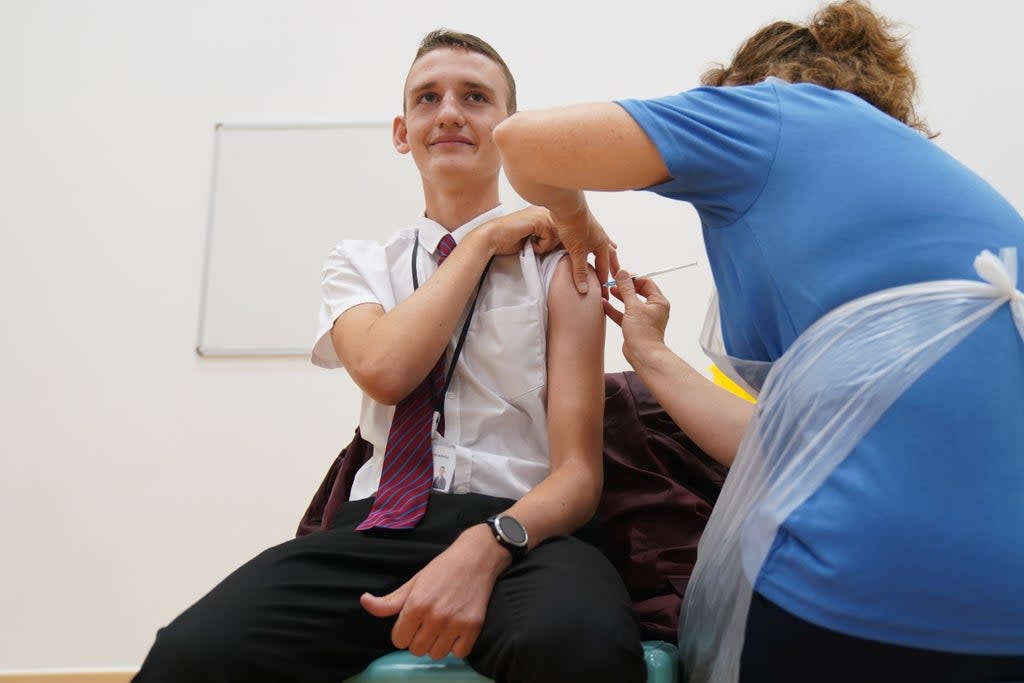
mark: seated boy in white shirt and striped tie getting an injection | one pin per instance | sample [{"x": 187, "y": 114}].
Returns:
[{"x": 441, "y": 328}]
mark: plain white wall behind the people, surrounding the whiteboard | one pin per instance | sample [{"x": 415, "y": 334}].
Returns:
[{"x": 136, "y": 476}]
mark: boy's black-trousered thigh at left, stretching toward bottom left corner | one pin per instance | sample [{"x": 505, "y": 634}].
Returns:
[{"x": 297, "y": 605}]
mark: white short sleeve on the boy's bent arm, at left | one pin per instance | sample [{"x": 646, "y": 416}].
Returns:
[{"x": 347, "y": 282}]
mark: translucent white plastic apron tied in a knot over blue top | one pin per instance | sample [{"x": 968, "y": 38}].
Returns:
[{"x": 821, "y": 399}]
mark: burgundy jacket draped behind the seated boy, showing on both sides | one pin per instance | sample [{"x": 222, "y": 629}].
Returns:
[{"x": 659, "y": 492}]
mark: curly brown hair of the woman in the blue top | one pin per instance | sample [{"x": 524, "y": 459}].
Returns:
[{"x": 844, "y": 47}]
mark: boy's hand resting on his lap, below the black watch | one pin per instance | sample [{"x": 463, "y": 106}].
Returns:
[{"x": 442, "y": 609}]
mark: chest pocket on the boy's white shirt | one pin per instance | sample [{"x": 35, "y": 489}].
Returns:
[{"x": 509, "y": 351}]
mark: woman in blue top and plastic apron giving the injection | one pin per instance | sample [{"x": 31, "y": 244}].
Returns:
[{"x": 872, "y": 525}]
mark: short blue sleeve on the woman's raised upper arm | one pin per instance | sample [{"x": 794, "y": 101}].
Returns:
[{"x": 717, "y": 143}]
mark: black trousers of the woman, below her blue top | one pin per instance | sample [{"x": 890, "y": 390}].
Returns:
[{"x": 780, "y": 647}]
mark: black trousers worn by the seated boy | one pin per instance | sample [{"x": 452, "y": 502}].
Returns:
[{"x": 293, "y": 613}]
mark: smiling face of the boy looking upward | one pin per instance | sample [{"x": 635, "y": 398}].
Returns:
[{"x": 454, "y": 100}]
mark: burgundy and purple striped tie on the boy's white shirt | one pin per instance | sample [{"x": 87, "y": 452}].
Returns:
[{"x": 408, "y": 471}]
